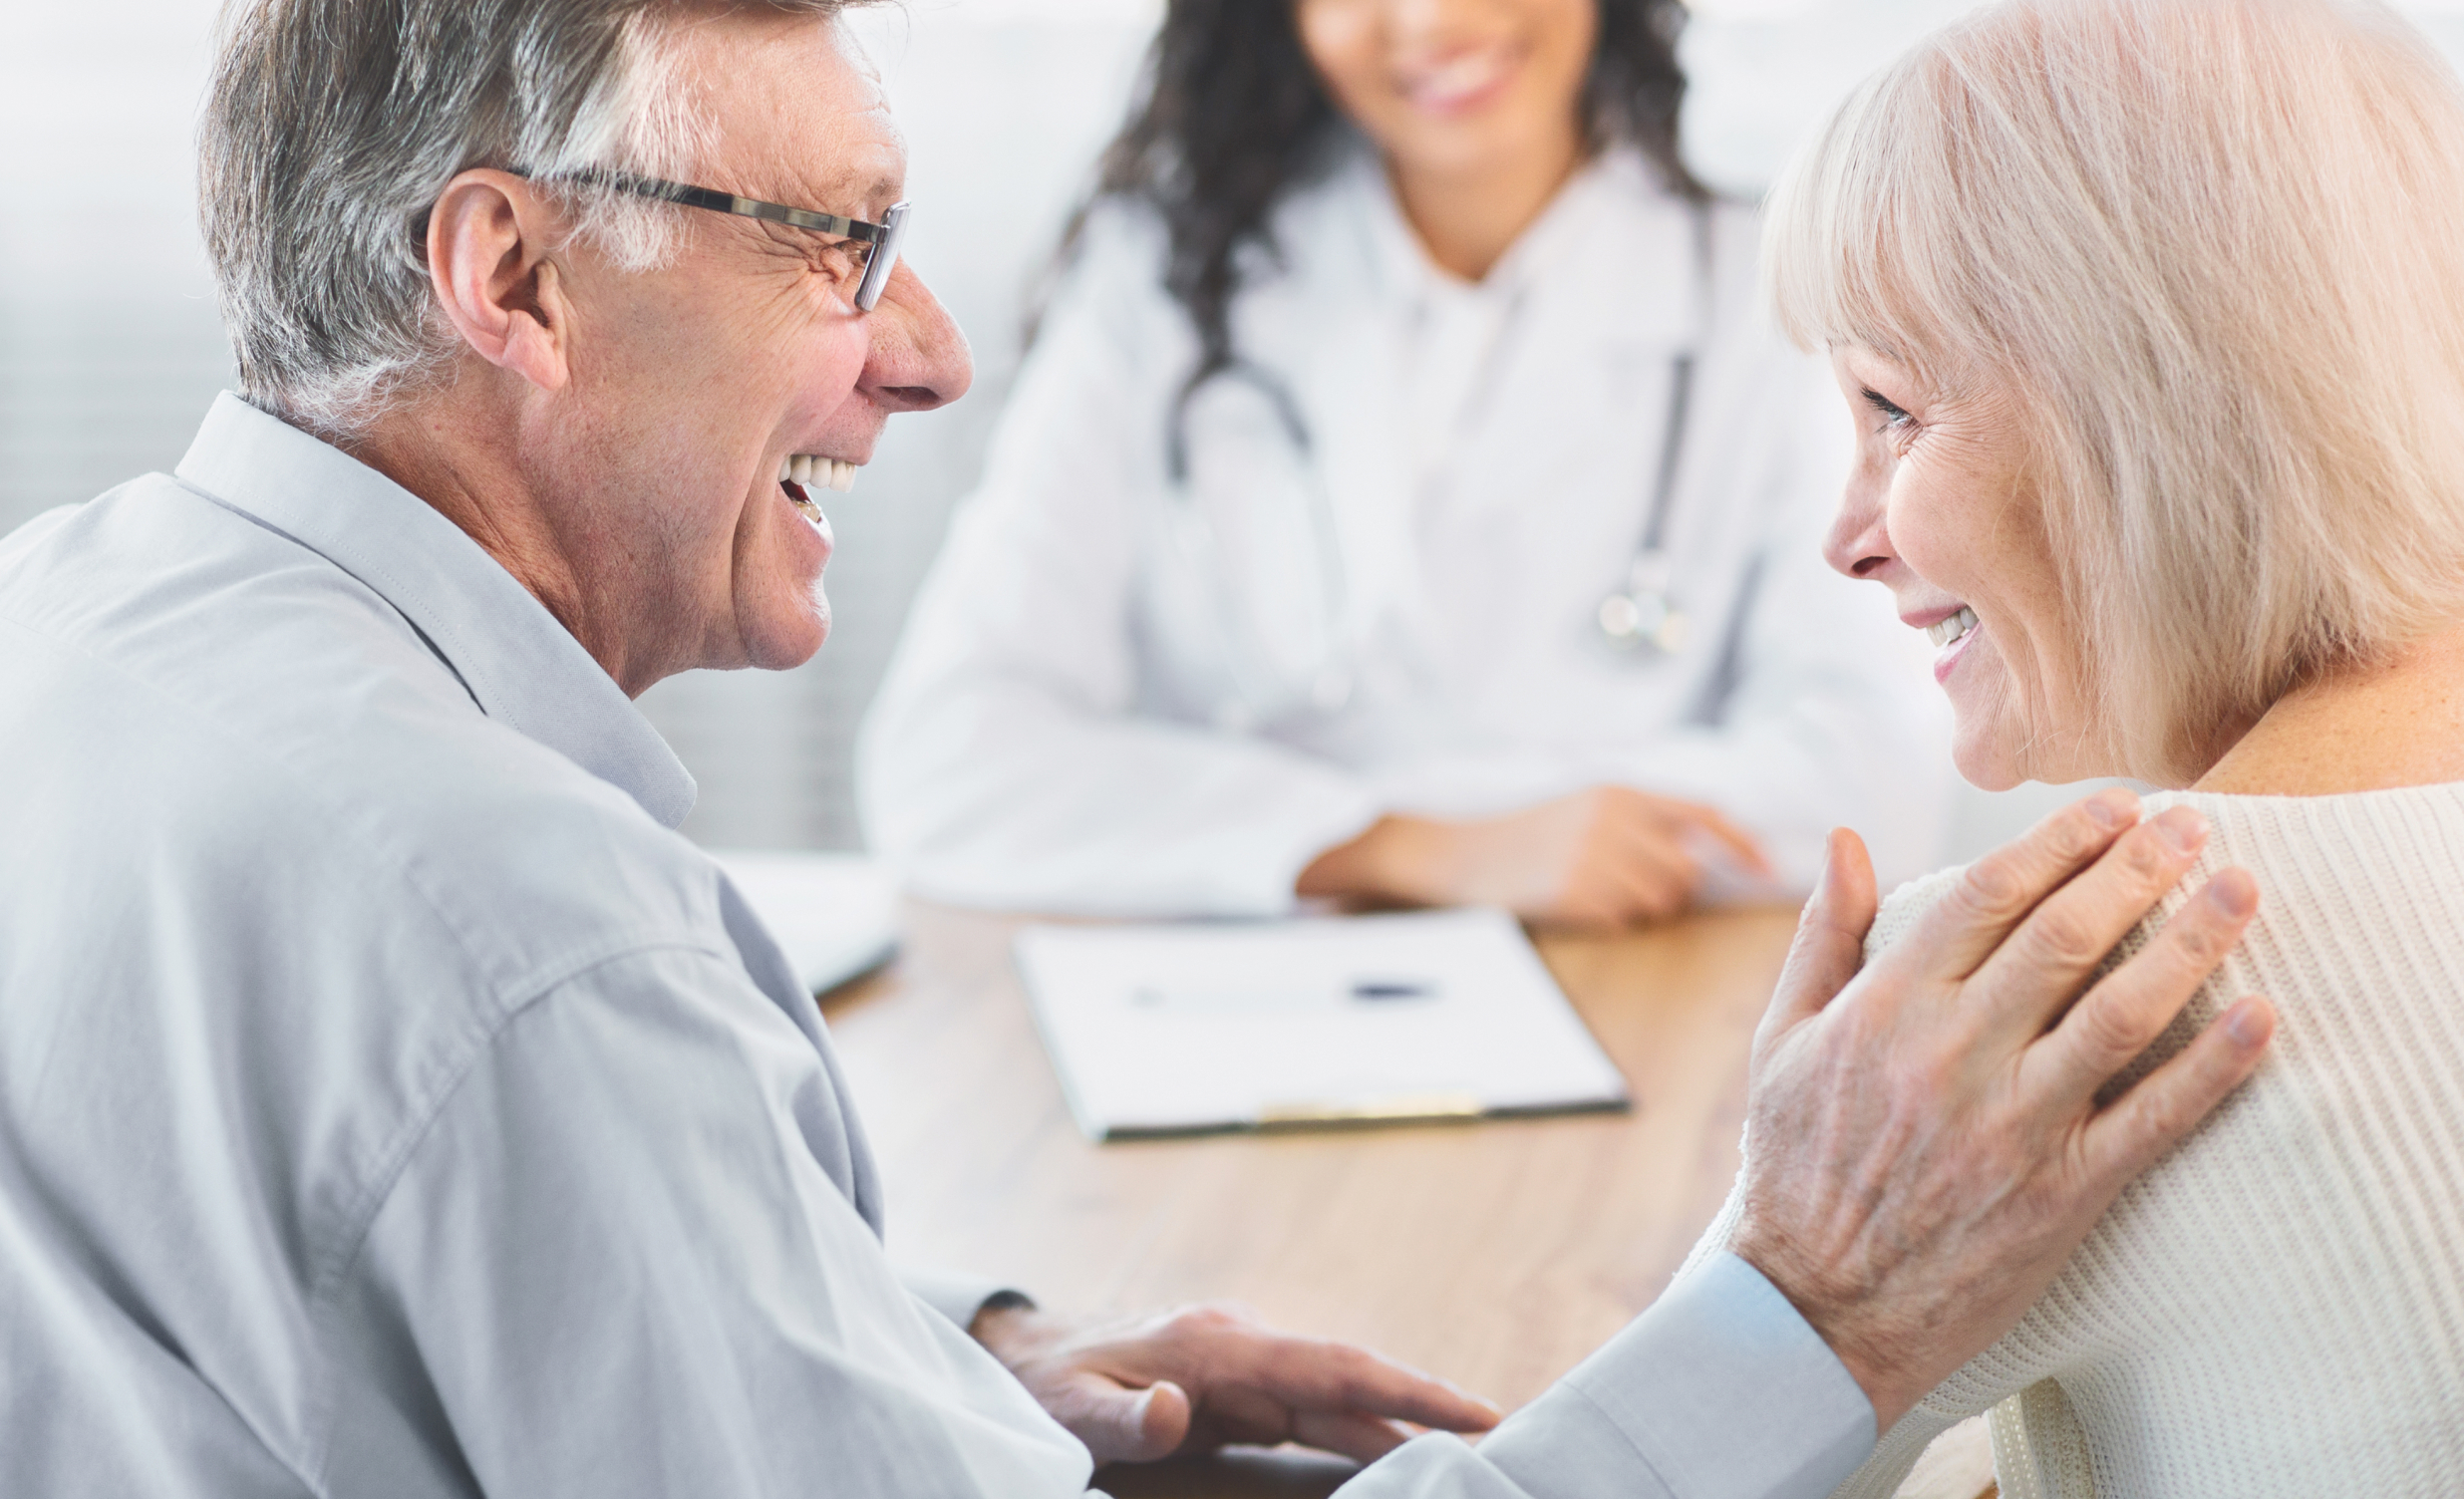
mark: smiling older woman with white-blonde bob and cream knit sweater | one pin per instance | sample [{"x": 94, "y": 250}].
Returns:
[{"x": 2152, "y": 322}]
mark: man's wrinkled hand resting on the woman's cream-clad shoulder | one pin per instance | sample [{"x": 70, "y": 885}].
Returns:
[{"x": 1928, "y": 1138}]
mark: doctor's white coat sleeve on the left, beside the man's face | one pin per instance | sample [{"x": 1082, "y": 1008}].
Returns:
[{"x": 1004, "y": 761}]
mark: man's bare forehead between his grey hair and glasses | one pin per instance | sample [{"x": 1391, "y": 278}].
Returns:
[{"x": 797, "y": 112}]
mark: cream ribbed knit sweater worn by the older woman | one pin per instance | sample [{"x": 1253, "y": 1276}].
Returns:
[{"x": 2280, "y": 1305}]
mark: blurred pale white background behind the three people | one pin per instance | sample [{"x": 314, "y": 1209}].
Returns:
[{"x": 110, "y": 344}]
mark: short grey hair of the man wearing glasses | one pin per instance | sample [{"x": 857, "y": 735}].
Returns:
[{"x": 334, "y": 127}]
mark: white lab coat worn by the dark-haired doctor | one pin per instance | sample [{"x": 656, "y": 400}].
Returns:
[{"x": 1142, "y": 696}]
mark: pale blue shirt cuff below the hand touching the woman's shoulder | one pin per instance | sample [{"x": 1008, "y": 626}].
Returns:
[{"x": 1721, "y": 1392}]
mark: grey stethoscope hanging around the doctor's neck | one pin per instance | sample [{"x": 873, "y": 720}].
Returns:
[{"x": 1642, "y": 618}]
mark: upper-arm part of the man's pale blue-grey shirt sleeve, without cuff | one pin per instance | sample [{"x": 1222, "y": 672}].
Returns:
[{"x": 617, "y": 1266}]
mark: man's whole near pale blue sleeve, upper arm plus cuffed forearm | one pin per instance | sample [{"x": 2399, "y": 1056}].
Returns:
[{"x": 615, "y": 1266}]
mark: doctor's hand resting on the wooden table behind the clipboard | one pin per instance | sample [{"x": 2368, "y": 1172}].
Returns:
[{"x": 1598, "y": 859}]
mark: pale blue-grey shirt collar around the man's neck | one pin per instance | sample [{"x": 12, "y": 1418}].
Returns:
[{"x": 519, "y": 664}]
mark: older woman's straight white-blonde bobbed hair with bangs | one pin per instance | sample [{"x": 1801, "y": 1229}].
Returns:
[{"x": 2216, "y": 250}]
